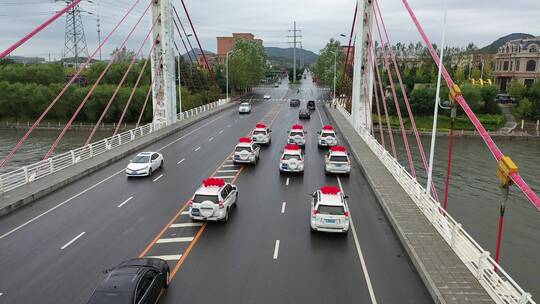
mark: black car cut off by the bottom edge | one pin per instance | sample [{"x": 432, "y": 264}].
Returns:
[{"x": 134, "y": 281}]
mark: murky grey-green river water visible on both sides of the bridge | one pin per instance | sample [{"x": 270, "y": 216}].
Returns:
[{"x": 474, "y": 197}]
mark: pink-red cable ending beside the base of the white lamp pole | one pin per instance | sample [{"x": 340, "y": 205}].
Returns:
[{"x": 406, "y": 99}]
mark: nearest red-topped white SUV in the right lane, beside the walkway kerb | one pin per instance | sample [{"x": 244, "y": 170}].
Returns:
[{"x": 329, "y": 210}]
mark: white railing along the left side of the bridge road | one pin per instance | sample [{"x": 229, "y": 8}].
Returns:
[{"x": 27, "y": 174}]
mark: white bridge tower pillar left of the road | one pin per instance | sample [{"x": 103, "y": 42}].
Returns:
[{"x": 163, "y": 65}]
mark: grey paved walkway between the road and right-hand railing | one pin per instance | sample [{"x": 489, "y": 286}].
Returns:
[{"x": 445, "y": 275}]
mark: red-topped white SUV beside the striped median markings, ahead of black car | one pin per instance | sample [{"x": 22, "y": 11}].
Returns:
[{"x": 213, "y": 201}]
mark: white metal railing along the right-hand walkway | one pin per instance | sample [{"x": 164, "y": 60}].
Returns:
[{"x": 500, "y": 286}]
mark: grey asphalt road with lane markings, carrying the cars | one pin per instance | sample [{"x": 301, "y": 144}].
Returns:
[{"x": 52, "y": 254}]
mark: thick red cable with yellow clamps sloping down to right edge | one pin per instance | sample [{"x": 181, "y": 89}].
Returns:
[{"x": 494, "y": 149}]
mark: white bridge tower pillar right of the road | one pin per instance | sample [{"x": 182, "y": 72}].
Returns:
[{"x": 363, "y": 68}]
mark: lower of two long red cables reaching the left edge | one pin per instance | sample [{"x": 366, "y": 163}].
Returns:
[{"x": 70, "y": 82}]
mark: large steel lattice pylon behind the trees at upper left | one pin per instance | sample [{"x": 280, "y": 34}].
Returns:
[{"x": 75, "y": 39}]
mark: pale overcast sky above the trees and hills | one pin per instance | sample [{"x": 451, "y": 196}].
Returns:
[{"x": 478, "y": 21}]
